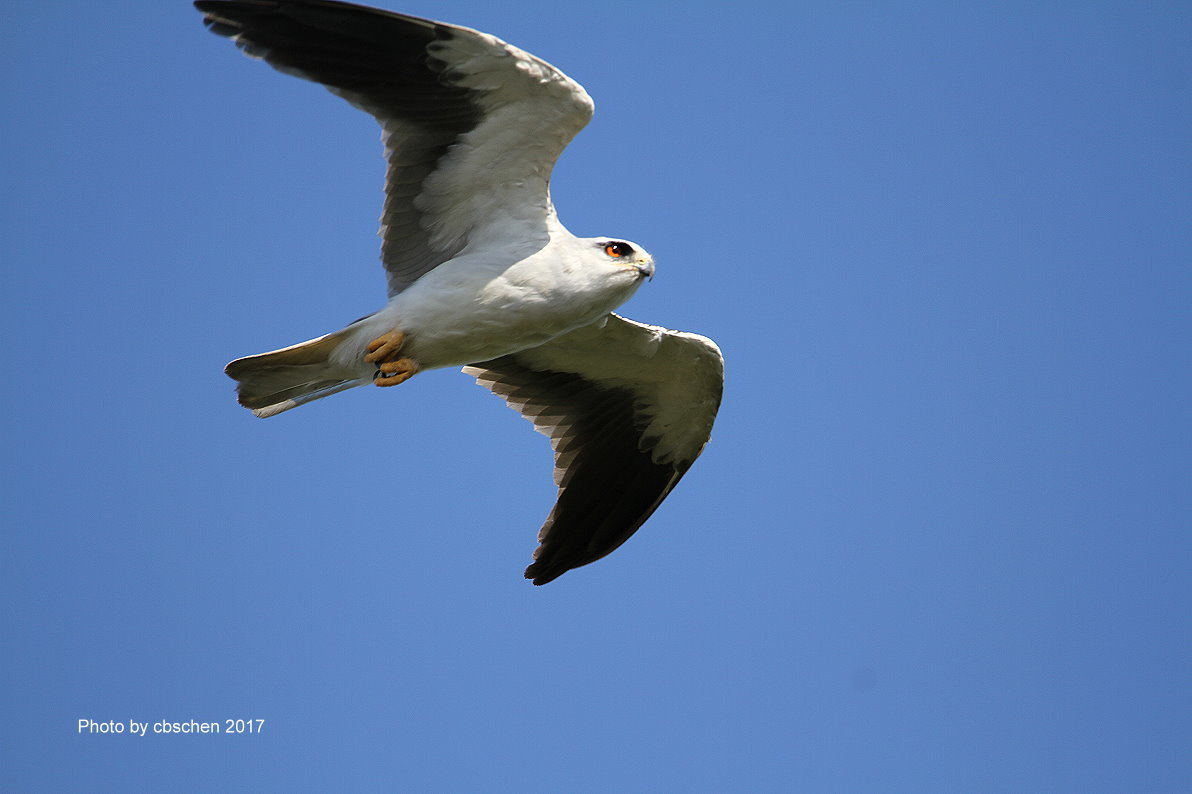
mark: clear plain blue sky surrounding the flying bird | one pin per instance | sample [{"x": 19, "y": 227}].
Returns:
[{"x": 940, "y": 541}]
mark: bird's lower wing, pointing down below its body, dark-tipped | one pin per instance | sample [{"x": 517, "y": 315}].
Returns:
[{"x": 628, "y": 408}]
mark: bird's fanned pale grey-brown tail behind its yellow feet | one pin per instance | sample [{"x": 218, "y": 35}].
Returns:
[{"x": 271, "y": 383}]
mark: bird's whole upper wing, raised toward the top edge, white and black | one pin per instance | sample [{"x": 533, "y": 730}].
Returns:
[{"x": 473, "y": 127}]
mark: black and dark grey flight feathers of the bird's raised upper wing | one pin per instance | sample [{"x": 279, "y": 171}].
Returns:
[{"x": 378, "y": 61}]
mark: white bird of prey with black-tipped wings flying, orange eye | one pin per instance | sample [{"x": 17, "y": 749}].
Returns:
[{"x": 482, "y": 275}]
